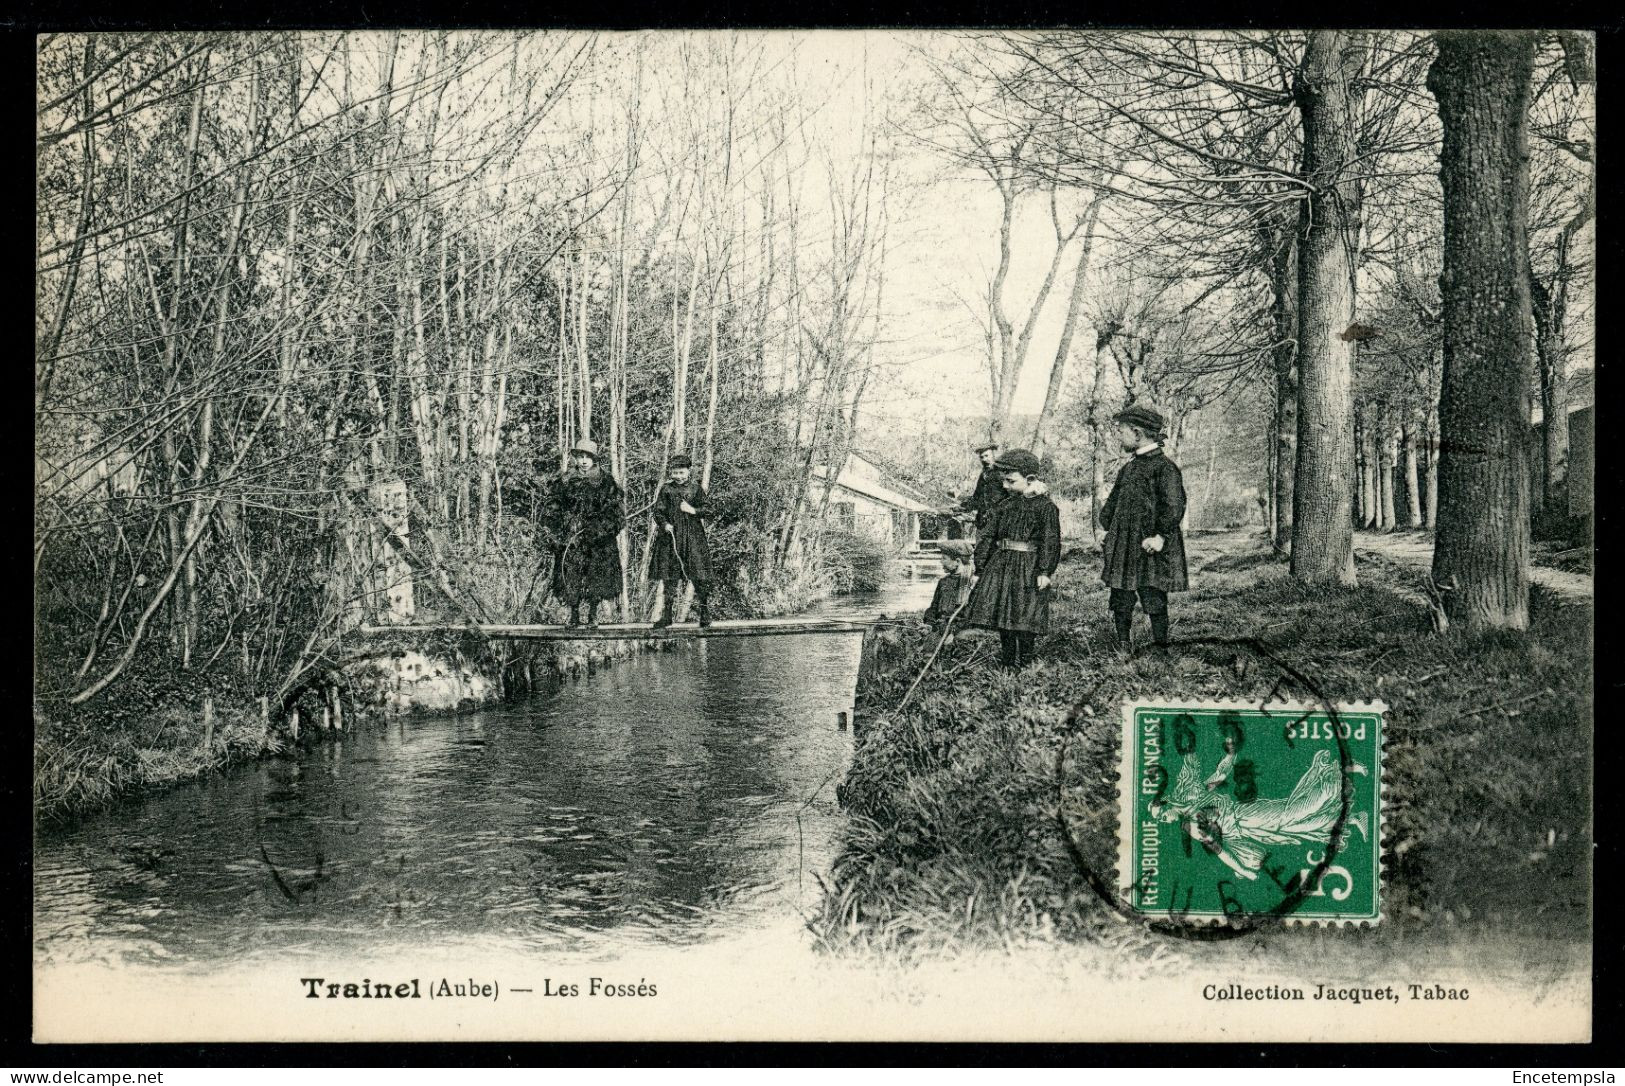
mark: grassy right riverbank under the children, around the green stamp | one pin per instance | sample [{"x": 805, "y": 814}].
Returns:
[{"x": 955, "y": 840}]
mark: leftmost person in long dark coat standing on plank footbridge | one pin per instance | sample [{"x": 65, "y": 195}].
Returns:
[{"x": 589, "y": 515}]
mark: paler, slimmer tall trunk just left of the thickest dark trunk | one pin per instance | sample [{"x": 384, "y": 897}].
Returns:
[{"x": 1330, "y": 228}]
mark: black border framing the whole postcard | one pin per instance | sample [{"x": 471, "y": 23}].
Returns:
[{"x": 19, "y": 25}]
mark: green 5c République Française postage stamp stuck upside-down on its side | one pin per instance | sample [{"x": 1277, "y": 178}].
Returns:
[{"x": 1239, "y": 810}]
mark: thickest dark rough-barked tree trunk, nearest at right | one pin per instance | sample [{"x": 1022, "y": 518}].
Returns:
[{"x": 1481, "y": 555}]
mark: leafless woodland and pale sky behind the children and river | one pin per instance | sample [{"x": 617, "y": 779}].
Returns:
[{"x": 280, "y": 271}]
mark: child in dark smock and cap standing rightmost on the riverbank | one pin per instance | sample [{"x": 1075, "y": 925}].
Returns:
[{"x": 1145, "y": 547}]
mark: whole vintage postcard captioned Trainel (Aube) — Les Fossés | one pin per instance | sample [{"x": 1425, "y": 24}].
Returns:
[{"x": 815, "y": 536}]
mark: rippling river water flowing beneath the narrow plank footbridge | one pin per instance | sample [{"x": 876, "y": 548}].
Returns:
[{"x": 670, "y": 799}]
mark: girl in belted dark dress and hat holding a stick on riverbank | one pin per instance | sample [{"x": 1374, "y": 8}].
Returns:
[{"x": 1016, "y": 558}]
